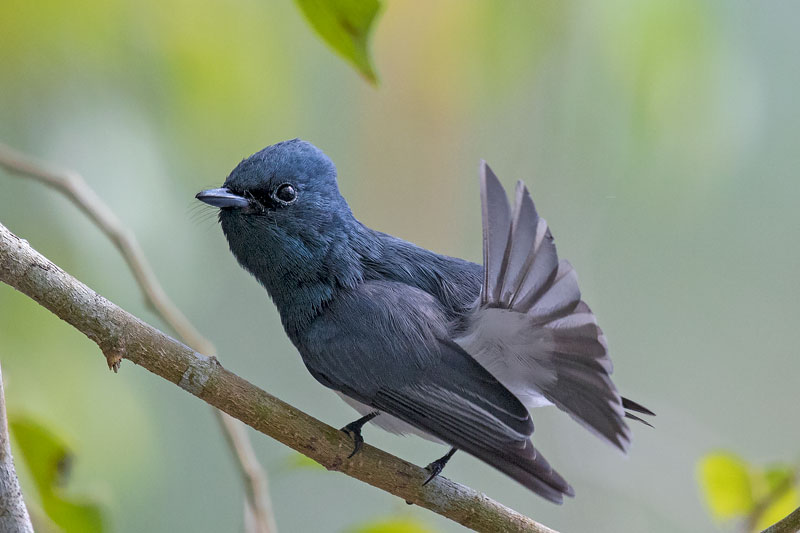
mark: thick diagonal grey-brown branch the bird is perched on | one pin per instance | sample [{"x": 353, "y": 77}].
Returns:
[{"x": 121, "y": 335}]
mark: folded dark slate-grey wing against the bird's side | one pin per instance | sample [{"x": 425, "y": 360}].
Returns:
[{"x": 382, "y": 345}]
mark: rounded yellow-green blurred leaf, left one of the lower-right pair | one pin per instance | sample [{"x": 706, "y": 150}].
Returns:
[{"x": 727, "y": 486}]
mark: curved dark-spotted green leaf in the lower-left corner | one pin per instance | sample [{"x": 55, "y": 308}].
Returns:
[{"x": 47, "y": 459}]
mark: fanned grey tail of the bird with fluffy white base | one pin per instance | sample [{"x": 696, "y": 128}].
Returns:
[{"x": 530, "y": 328}]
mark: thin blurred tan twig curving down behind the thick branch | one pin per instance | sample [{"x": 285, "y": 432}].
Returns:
[{"x": 74, "y": 187}]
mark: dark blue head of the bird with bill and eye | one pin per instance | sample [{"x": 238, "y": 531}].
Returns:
[{"x": 282, "y": 214}]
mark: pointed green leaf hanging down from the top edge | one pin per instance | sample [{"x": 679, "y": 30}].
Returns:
[{"x": 346, "y": 26}]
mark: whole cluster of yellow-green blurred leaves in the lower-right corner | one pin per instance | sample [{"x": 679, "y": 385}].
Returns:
[{"x": 735, "y": 489}]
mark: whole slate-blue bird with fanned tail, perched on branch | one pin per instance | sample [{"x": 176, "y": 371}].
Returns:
[{"x": 418, "y": 342}]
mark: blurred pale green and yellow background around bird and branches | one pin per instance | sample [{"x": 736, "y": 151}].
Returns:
[{"x": 659, "y": 139}]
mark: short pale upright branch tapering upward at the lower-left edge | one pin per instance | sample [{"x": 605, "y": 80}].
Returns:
[{"x": 13, "y": 513}]
